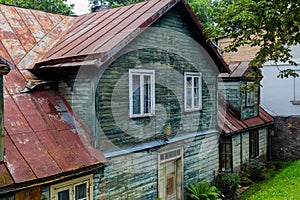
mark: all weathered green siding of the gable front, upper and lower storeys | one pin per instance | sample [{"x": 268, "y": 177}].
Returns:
[{"x": 170, "y": 54}]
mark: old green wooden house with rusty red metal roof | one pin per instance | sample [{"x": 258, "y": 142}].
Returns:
[{"x": 119, "y": 104}]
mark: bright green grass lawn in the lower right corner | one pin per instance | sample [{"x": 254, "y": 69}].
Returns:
[{"x": 280, "y": 184}]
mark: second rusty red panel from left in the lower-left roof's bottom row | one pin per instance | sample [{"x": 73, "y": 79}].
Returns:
[{"x": 36, "y": 156}]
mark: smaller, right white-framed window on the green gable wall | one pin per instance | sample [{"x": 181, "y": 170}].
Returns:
[{"x": 192, "y": 91}]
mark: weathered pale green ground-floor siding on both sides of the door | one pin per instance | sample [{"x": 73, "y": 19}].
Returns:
[{"x": 134, "y": 176}]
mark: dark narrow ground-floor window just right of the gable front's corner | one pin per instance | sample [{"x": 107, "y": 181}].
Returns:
[{"x": 226, "y": 154}]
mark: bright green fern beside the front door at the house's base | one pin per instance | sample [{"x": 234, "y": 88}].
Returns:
[{"x": 202, "y": 191}]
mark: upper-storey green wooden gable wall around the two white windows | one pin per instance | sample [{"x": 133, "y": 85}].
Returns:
[{"x": 104, "y": 105}]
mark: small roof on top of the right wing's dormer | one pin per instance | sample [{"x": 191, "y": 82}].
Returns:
[{"x": 238, "y": 69}]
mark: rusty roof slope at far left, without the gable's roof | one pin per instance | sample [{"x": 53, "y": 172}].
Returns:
[{"x": 41, "y": 136}]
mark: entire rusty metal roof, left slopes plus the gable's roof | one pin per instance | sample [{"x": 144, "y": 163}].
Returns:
[{"x": 41, "y": 139}]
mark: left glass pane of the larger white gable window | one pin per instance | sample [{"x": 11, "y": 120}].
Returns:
[{"x": 136, "y": 94}]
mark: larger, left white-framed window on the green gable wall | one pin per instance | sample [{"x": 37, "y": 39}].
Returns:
[{"x": 141, "y": 93}]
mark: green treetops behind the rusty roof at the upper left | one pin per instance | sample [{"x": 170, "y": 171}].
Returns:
[{"x": 54, "y": 6}]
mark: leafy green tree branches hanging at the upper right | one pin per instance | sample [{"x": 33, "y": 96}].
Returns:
[{"x": 273, "y": 25}]
